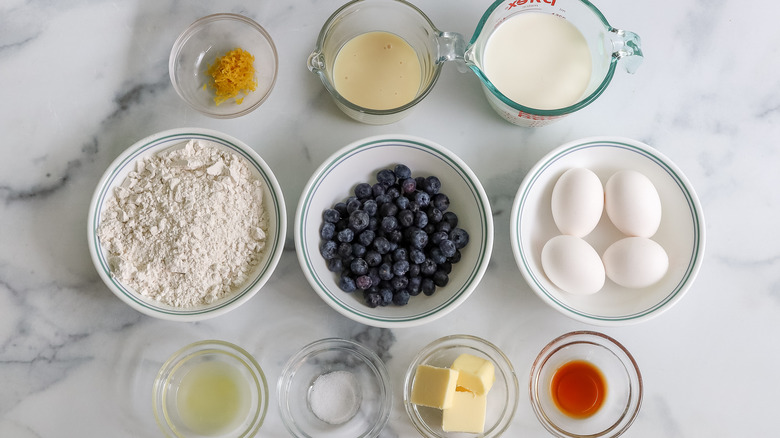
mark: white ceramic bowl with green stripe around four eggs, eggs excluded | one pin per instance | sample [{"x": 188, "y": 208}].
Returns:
[{"x": 681, "y": 232}]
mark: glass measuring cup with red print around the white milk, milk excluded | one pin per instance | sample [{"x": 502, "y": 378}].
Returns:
[{"x": 607, "y": 46}]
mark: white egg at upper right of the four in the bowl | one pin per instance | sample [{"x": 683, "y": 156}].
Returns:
[{"x": 633, "y": 204}]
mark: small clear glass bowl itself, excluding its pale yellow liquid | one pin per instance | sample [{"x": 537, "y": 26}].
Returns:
[{"x": 231, "y": 360}]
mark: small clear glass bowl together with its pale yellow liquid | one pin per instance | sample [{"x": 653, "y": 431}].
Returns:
[{"x": 211, "y": 367}]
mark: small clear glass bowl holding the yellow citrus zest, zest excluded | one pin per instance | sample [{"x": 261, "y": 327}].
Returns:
[{"x": 199, "y": 46}]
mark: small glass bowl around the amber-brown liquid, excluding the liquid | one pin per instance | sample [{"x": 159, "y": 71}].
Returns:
[{"x": 623, "y": 379}]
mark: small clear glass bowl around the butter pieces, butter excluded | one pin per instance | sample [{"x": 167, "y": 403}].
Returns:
[{"x": 501, "y": 400}]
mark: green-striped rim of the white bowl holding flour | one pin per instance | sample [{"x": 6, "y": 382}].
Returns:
[{"x": 129, "y": 160}]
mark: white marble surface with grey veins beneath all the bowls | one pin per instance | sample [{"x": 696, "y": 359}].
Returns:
[{"x": 81, "y": 80}]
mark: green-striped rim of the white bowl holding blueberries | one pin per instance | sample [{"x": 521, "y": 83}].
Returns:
[{"x": 432, "y": 150}]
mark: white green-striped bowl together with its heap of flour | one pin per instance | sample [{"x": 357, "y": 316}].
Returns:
[{"x": 187, "y": 224}]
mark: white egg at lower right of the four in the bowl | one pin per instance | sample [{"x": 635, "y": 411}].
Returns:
[{"x": 635, "y": 262}]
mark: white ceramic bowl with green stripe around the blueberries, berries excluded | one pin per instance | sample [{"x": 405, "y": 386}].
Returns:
[{"x": 358, "y": 162}]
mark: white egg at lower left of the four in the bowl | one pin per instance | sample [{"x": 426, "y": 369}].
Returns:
[{"x": 573, "y": 265}]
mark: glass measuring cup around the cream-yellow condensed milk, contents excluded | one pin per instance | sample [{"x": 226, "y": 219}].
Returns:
[{"x": 362, "y": 16}]
